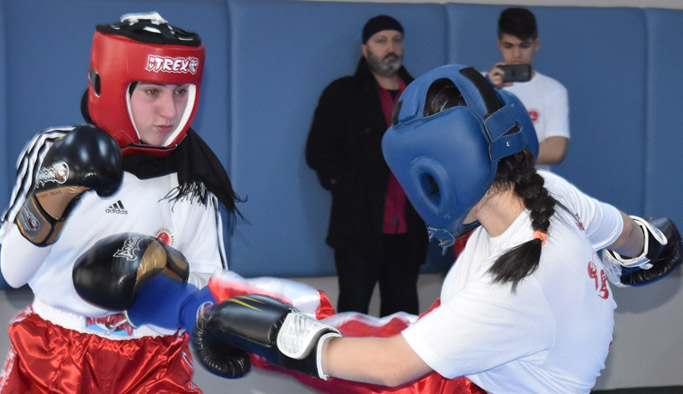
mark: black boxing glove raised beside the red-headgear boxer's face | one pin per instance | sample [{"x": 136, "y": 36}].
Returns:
[{"x": 87, "y": 158}]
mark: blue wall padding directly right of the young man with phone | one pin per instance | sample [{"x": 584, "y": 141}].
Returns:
[{"x": 604, "y": 71}]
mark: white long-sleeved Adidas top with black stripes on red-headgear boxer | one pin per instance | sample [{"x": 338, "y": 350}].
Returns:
[{"x": 139, "y": 206}]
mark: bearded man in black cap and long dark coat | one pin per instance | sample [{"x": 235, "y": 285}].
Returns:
[{"x": 376, "y": 234}]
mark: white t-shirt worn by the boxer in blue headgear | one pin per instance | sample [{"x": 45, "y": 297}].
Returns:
[{"x": 552, "y": 334}]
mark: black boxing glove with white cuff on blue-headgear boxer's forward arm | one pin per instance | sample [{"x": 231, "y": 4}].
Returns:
[{"x": 266, "y": 327}]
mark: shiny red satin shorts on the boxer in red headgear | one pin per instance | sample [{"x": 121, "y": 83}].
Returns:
[{"x": 47, "y": 358}]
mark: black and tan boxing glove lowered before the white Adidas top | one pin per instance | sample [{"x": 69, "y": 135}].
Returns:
[{"x": 110, "y": 273}]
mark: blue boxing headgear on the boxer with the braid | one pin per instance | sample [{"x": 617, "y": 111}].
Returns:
[{"x": 447, "y": 161}]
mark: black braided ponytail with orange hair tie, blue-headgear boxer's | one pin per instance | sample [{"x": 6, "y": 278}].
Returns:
[{"x": 522, "y": 260}]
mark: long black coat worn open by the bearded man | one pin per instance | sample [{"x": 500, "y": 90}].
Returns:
[{"x": 344, "y": 147}]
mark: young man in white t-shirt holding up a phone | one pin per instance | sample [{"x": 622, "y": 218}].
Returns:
[{"x": 545, "y": 98}]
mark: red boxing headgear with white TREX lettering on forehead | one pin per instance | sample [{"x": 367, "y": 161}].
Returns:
[{"x": 142, "y": 48}]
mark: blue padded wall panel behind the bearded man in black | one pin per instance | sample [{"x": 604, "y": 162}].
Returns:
[{"x": 284, "y": 55}]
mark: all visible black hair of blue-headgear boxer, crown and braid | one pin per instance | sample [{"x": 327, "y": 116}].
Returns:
[{"x": 517, "y": 171}]
